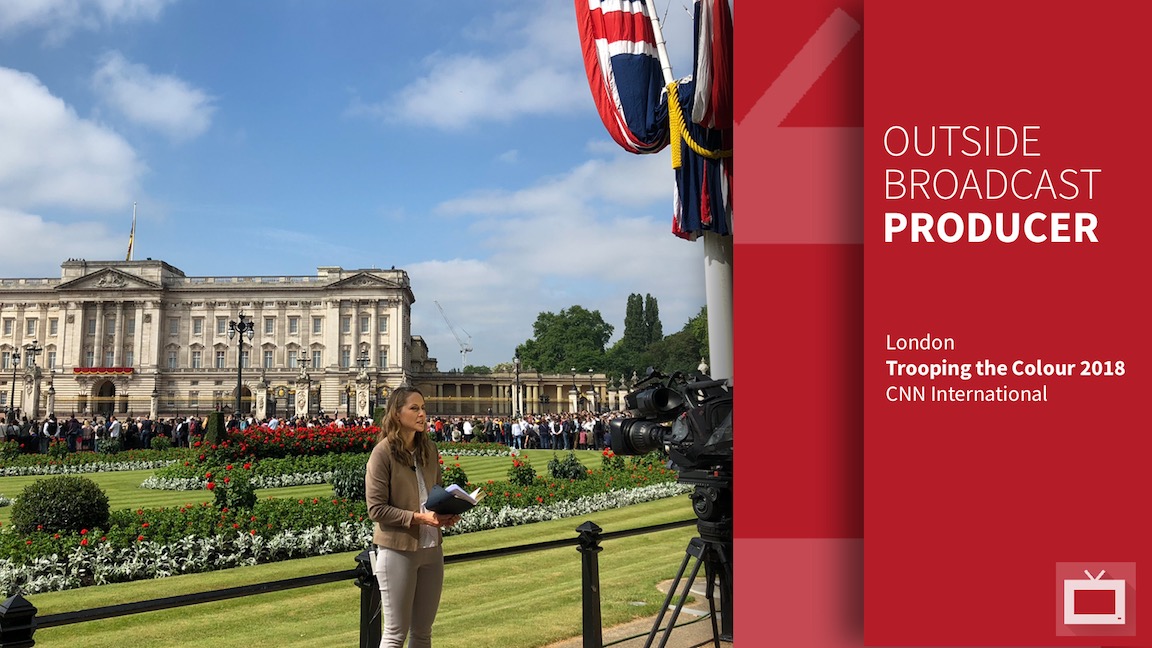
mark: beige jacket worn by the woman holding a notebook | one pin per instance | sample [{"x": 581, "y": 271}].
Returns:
[{"x": 393, "y": 498}]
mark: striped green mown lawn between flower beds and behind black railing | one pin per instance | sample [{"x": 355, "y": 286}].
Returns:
[{"x": 520, "y": 602}]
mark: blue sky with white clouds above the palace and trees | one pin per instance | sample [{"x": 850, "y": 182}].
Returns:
[{"x": 458, "y": 141}]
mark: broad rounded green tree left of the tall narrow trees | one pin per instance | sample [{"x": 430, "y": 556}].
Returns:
[{"x": 574, "y": 337}]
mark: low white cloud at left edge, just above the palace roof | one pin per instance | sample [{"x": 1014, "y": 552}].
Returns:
[{"x": 36, "y": 247}]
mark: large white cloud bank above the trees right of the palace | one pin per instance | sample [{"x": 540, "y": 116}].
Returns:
[{"x": 577, "y": 239}]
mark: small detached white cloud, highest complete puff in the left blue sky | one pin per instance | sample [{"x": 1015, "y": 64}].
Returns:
[{"x": 160, "y": 102}]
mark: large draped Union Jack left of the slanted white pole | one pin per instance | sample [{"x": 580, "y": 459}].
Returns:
[{"x": 624, "y": 72}]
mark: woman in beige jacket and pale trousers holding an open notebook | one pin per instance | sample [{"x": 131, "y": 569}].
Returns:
[{"x": 403, "y": 470}]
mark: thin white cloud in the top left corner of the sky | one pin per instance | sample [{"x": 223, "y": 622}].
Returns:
[{"x": 62, "y": 18}]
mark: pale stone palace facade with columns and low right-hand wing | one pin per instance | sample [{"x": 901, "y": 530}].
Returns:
[{"x": 141, "y": 337}]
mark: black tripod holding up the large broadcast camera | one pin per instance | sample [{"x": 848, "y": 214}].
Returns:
[{"x": 713, "y": 549}]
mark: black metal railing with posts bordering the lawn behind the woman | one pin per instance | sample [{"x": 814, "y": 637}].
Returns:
[{"x": 19, "y": 621}]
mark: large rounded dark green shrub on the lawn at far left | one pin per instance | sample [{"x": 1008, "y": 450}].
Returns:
[{"x": 65, "y": 503}]
